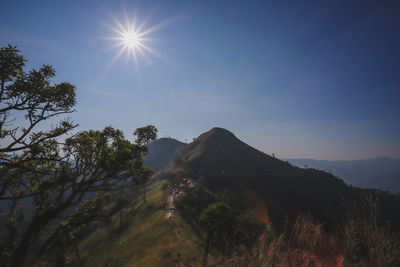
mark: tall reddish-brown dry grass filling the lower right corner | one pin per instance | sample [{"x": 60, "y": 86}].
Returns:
[{"x": 363, "y": 242}]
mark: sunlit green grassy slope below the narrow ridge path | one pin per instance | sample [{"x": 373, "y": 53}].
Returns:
[{"x": 150, "y": 240}]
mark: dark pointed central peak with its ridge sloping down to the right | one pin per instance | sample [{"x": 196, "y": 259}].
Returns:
[{"x": 222, "y": 160}]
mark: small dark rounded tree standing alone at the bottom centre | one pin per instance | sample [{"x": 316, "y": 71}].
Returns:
[{"x": 220, "y": 225}]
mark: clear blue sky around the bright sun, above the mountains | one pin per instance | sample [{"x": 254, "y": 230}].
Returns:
[{"x": 316, "y": 79}]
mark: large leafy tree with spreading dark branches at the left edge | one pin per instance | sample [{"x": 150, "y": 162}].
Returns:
[{"x": 62, "y": 182}]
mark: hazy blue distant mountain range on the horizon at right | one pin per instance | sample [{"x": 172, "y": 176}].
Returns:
[{"x": 380, "y": 173}]
